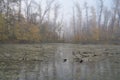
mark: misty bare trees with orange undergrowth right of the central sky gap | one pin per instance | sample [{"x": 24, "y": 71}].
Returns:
[{"x": 97, "y": 24}]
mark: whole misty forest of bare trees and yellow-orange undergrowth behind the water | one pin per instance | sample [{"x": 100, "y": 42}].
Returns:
[{"x": 30, "y": 21}]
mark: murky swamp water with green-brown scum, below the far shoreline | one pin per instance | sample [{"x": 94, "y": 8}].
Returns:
[{"x": 59, "y": 62}]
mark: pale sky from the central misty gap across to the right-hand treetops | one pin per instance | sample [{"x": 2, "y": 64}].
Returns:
[{"x": 68, "y": 4}]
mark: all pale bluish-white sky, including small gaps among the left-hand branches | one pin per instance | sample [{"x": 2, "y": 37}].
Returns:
[{"x": 67, "y": 5}]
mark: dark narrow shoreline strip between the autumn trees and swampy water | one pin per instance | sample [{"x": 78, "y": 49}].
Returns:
[{"x": 98, "y": 42}]
